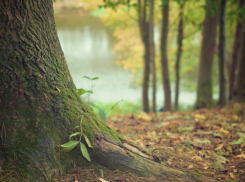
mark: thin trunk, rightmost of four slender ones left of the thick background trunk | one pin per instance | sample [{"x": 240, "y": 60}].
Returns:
[{"x": 177, "y": 65}]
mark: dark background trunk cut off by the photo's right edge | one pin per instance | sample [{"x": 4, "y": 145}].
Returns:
[{"x": 239, "y": 93}]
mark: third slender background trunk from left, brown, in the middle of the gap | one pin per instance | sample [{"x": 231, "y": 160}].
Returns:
[{"x": 164, "y": 58}]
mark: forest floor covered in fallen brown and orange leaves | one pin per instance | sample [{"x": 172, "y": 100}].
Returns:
[{"x": 206, "y": 142}]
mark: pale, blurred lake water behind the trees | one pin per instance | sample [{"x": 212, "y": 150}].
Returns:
[{"x": 88, "y": 47}]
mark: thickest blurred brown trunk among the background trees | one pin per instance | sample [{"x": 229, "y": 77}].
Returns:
[{"x": 204, "y": 88}]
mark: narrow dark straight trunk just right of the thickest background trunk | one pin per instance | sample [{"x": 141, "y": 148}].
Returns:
[{"x": 222, "y": 88}]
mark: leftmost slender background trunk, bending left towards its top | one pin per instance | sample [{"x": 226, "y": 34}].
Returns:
[{"x": 144, "y": 32}]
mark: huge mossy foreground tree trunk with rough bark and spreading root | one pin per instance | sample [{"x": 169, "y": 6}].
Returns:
[{"x": 40, "y": 106}]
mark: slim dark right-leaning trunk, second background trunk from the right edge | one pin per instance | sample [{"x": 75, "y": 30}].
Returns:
[{"x": 236, "y": 49}]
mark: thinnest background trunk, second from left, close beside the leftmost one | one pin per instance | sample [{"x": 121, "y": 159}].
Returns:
[{"x": 152, "y": 54}]
